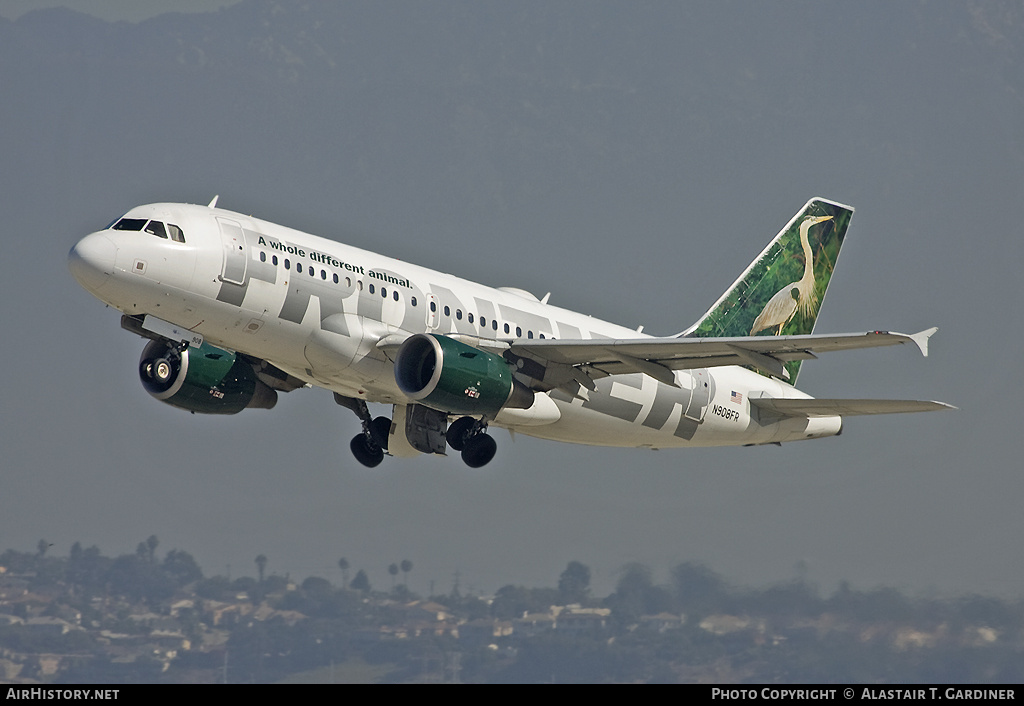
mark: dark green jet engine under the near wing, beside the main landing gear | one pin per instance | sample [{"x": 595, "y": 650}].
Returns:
[{"x": 456, "y": 379}]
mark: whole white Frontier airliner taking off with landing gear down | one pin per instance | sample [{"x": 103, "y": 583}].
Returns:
[{"x": 237, "y": 311}]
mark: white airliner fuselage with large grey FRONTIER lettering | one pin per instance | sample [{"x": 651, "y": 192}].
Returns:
[{"x": 318, "y": 309}]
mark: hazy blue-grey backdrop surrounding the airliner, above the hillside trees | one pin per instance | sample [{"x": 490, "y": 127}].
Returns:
[{"x": 630, "y": 158}]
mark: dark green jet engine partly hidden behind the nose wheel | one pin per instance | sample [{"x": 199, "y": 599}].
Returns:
[{"x": 206, "y": 380}]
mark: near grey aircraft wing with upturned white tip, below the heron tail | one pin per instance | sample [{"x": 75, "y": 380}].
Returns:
[{"x": 659, "y": 357}]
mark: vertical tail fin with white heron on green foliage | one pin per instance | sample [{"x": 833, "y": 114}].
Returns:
[{"x": 782, "y": 292}]
